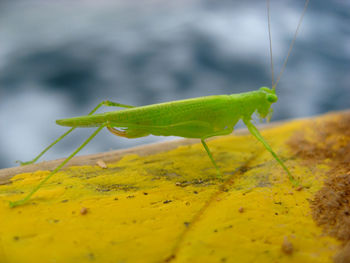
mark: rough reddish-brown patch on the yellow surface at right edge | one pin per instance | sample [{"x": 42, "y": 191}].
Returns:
[{"x": 328, "y": 139}]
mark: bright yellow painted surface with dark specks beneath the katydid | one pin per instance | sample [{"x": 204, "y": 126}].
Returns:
[{"x": 170, "y": 207}]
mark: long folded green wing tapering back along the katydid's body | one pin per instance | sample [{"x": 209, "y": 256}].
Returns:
[{"x": 209, "y": 109}]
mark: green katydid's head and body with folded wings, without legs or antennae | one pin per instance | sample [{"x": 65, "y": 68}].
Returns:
[{"x": 200, "y": 118}]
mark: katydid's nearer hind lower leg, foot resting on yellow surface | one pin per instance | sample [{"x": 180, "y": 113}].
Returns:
[{"x": 27, "y": 197}]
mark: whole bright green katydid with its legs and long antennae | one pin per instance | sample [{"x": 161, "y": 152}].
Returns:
[{"x": 200, "y": 118}]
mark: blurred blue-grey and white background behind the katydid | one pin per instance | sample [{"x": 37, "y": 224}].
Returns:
[{"x": 59, "y": 59}]
